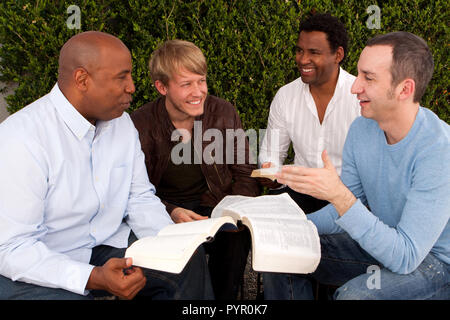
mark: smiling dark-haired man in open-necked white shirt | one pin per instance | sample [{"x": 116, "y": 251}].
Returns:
[{"x": 315, "y": 111}]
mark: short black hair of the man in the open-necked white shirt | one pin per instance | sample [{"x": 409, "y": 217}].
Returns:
[{"x": 334, "y": 29}]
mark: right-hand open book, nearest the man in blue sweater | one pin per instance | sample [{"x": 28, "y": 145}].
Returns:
[{"x": 283, "y": 240}]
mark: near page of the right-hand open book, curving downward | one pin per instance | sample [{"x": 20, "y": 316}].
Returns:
[{"x": 284, "y": 245}]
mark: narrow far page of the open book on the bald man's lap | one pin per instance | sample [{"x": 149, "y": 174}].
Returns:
[{"x": 208, "y": 227}]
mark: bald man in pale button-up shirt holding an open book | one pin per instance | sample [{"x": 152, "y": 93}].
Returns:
[{"x": 74, "y": 192}]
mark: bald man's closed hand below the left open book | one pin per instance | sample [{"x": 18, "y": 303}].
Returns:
[{"x": 111, "y": 277}]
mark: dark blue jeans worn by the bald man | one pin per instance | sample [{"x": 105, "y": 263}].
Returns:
[{"x": 193, "y": 283}]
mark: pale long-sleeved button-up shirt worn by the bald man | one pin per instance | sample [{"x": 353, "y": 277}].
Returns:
[{"x": 67, "y": 186}]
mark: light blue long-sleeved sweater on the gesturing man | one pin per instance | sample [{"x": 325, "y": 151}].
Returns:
[{"x": 407, "y": 188}]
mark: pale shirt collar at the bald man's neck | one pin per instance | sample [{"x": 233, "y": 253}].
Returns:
[{"x": 73, "y": 119}]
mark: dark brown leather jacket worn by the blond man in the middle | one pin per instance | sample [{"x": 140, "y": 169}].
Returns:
[{"x": 155, "y": 130}]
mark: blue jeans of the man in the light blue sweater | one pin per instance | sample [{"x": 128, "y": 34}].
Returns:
[{"x": 359, "y": 276}]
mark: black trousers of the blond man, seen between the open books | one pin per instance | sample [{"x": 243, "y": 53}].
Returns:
[{"x": 227, "y": 256}]
